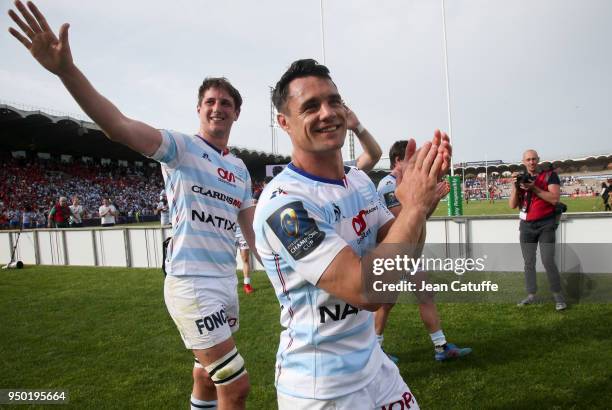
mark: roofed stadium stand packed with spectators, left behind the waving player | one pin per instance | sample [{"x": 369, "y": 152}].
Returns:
[{"x": 44, "y": 156}]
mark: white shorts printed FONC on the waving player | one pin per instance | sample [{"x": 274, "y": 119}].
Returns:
[{"x": 204, "y": 309}]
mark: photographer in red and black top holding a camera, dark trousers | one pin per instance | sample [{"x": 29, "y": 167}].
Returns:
[{"x": 537, "y": 194}]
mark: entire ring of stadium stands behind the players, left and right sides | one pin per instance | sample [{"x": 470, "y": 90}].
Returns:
[{"x": 50, "y": 164}]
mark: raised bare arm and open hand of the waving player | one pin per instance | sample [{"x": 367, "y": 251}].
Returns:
[{"x": 53, "y": 53}]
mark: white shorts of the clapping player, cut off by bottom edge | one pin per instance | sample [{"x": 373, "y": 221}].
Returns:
[{"x": 386, "y": 391}]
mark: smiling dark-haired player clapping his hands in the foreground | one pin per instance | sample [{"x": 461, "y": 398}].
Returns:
[{"x": 313, "y": 224}]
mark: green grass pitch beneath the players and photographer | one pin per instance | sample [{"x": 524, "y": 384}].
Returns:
[{"x": 104, "y": 335}]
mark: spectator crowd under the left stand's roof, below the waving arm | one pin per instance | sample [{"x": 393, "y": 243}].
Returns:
[{"x": 30, "y": 188}]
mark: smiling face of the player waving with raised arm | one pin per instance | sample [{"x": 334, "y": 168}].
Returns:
[{"x": 217, "y": 113}]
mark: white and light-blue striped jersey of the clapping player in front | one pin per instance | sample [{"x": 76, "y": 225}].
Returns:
[{"x": 328, "y": 348}]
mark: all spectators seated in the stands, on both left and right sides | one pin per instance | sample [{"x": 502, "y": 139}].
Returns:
[{"x": 31, "y": 187}]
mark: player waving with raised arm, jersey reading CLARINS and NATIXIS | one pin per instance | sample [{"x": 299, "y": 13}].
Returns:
[{"x": 208, "y": 192}]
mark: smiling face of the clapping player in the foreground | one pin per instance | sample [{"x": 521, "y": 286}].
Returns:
[{"x": 314, "y": 116}]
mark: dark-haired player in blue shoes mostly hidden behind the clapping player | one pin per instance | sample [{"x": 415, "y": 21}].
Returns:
[{"x": 427, "y": 307}]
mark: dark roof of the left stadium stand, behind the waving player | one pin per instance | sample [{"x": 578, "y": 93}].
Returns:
[{"x": 38, "y": 131}]
